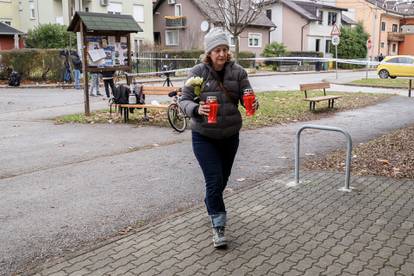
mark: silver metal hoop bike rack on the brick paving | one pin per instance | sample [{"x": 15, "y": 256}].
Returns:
[{"x": 346, "y": 188}]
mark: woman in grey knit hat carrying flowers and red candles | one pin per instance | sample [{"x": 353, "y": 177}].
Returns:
[{"x": 215, "y": 145}]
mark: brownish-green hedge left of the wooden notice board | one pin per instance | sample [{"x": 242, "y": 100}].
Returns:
[{"x": 33, "y": 64}]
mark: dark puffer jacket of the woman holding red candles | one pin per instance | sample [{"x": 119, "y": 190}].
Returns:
[{"x": 229, "y": 119}]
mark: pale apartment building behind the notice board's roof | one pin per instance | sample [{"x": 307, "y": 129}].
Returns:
[{"x": 27, "y": 14}]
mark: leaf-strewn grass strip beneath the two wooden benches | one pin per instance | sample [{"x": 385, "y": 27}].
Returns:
[{"x": 275, "y": 108}]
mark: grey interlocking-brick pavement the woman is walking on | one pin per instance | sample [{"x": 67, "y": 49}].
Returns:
[{"x": 311, "y": 229}]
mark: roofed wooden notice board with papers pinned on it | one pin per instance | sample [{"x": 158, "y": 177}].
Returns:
[{"x": 106, "y": 43}]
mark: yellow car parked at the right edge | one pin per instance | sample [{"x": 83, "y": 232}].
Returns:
[{"x": 396, "y": 66}]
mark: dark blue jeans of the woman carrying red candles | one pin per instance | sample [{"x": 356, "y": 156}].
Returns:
[{"x": 216, "y": 159}]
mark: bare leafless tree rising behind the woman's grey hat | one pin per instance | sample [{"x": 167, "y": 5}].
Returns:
[{"x": 234, "y": 15}]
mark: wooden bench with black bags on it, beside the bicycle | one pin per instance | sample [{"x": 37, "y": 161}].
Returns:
[{"x": 146, "y": 90}]
